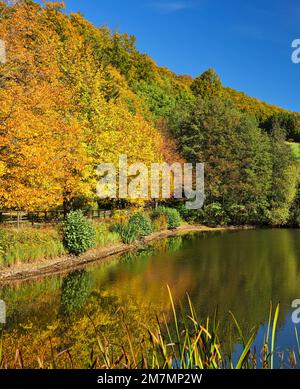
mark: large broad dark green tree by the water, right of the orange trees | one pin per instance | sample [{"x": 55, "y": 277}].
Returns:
[{"x": 237, "y": 157}]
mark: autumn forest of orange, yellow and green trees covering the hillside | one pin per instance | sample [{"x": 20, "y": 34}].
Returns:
[{"x": 73, "y": 95}]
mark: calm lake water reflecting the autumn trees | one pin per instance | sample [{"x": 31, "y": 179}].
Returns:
[{"x": 238, "y": 271}]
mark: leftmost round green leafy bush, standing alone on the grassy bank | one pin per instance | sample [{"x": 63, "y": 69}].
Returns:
[{"x": 79, "y": 233}]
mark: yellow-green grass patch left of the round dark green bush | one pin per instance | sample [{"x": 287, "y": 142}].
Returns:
[{"x": 29, "y": 245}]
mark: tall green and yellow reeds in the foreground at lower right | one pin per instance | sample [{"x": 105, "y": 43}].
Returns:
[{"x": 189, "y": 343}]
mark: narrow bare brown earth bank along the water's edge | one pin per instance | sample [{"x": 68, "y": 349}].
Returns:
[{"x": 66, "y": 263}]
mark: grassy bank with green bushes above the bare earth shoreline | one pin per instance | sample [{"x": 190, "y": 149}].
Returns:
[{"x": 77, "y": 235}]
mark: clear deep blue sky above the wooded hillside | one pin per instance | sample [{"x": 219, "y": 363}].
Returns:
[{"x": 247, "y": 42}]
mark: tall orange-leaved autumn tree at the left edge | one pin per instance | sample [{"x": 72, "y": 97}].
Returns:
[{"x": 41, "y": 149}]
